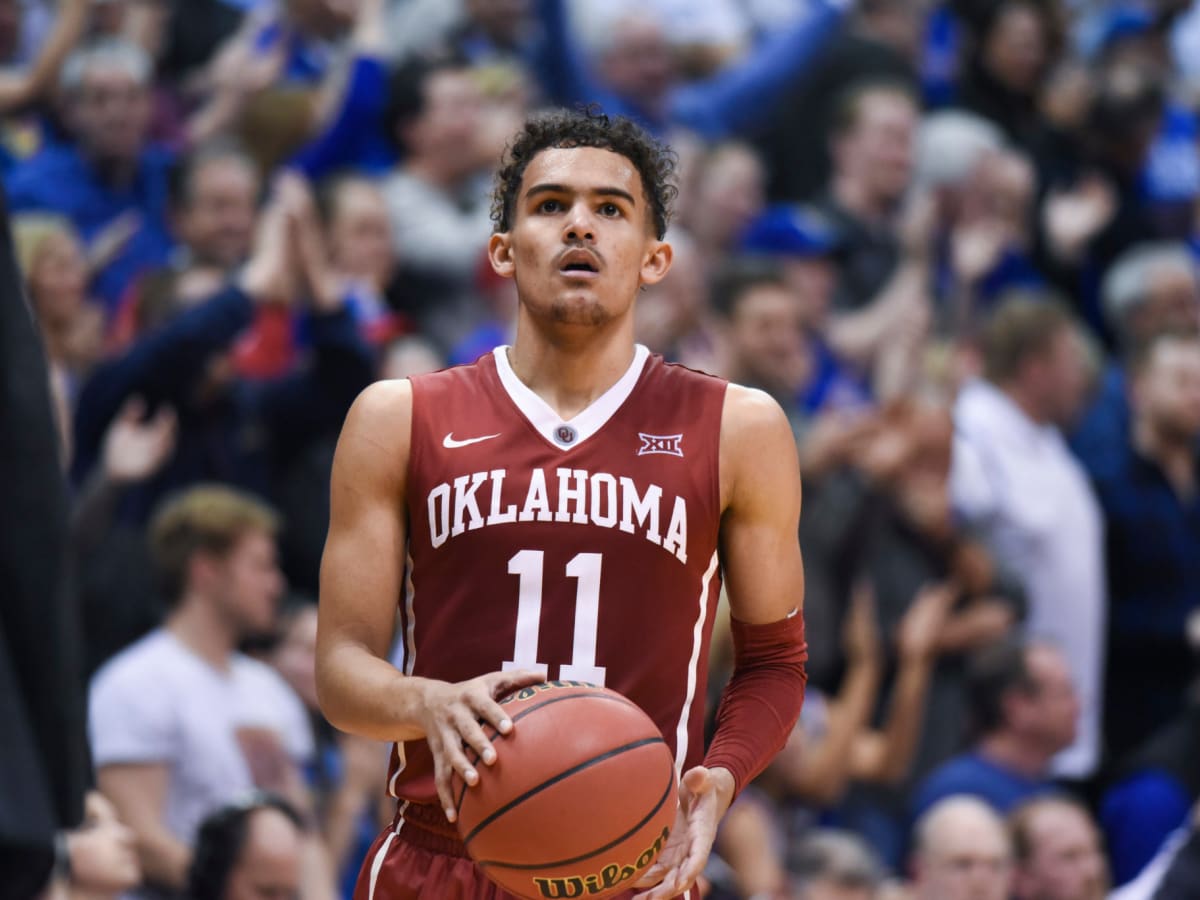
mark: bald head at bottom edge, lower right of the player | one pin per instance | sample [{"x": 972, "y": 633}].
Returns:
[{"x": 965, "y": 856}]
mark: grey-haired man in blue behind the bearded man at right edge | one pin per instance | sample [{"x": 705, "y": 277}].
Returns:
[{"x": 1149, "y": 290}]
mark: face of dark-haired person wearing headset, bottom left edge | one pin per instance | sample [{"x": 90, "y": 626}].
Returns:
[{"x": 269, "y": 865}]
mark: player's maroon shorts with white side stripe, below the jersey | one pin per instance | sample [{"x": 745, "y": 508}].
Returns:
[{"x": 421, "y": 859}]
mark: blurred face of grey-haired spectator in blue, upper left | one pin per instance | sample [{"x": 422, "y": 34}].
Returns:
[{"x": 111, "y": 113}]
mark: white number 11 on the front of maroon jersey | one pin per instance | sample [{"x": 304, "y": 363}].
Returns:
[{"x": 585, "y": 568}]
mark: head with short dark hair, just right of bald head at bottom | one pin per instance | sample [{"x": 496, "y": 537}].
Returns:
[{"x": 1066, "y": 861}]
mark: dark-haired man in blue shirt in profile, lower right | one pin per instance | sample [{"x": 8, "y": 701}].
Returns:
[{"x": 1025, "y": 712}]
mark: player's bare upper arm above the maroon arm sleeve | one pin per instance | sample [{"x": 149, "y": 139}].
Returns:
[{"x": 760, "y": 529}]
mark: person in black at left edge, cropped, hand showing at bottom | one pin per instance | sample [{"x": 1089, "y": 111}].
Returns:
[{"x": 44, "y": 759}]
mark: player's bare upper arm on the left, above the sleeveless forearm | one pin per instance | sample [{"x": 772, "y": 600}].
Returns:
[{"x": 363, "y": 566}]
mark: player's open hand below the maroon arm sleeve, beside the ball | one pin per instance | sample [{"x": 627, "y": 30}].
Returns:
[{"x": 704, "y": 797}]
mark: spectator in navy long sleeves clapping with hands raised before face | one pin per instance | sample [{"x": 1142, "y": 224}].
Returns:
[{"x": 237, "y": 431}]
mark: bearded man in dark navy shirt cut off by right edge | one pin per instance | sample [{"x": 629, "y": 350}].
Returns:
[{"x": 1153, "y": 512}]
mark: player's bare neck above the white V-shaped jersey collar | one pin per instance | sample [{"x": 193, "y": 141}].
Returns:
[{"x": 572, "y": 375}]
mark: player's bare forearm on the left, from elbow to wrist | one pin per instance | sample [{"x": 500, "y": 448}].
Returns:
[{"x": 362, "y": 694}]
